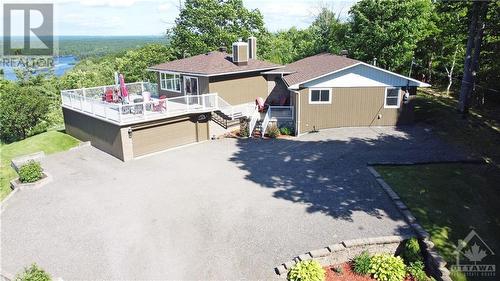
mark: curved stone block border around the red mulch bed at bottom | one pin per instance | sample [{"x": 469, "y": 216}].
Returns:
[{"x": 346, "y": 251}]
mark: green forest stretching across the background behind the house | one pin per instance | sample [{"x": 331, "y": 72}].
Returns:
[{"x": 425, "y": 38}]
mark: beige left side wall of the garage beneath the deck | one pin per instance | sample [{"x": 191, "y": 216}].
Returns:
[{"x": 102, "y": 135}]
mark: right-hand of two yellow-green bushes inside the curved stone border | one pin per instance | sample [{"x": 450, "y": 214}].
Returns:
[{"x": 385, "y": 267}]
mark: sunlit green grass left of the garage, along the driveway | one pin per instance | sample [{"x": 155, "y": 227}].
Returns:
[{"x": 49, "y": 142}]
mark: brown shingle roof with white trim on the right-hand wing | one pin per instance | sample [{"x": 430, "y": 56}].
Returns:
[{"x": 314, "y": 67}]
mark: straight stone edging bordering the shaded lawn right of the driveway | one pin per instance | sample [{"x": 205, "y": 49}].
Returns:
[{"x": 433, "y": 261}]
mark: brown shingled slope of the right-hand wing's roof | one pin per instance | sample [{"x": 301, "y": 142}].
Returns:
[{"x": 311, "y": 67}]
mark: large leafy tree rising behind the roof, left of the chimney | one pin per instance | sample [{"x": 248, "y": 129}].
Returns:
[{"x": 206, "y": 25}]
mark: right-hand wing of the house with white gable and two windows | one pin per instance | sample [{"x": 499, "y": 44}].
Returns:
[{"x": 331, "y": 91}]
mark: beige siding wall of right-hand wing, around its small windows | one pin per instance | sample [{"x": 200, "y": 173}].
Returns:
[{"x": 351, "y": 107}]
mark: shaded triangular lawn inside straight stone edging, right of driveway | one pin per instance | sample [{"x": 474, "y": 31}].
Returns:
[{"x": 449, "y": 200}]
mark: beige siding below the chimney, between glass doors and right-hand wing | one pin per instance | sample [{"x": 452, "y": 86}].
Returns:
[{"x": 238, "y": 89}]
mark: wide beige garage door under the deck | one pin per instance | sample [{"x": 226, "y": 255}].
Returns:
[{"x": 157, "y": 137}]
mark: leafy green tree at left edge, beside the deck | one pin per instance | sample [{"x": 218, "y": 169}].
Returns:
[{"x": 22, "y": 108}]
